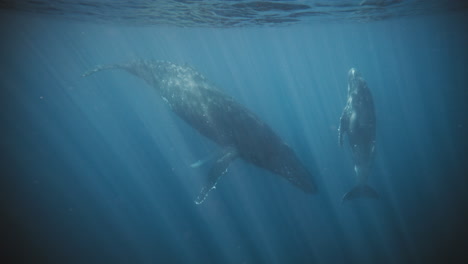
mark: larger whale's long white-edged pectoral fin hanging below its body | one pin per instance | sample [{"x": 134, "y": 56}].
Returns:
[{"x": 219, "y": 169}]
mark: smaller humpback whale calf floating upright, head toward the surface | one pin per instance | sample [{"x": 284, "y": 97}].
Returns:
[{"x": 358, "y": 121}]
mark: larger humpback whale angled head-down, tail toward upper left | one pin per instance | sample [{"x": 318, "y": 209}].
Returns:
[{"x": 217, "y": 116}]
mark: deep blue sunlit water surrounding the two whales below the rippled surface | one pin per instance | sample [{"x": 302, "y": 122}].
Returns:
[{"x": 96, "y": 170}]
